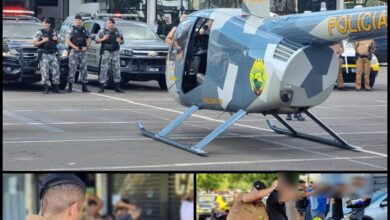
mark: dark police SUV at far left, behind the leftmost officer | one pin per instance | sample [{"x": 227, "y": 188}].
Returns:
[{"x": 20, "y": 57}]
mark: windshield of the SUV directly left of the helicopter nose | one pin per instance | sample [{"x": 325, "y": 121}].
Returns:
[{"x": 135, "y": 32}]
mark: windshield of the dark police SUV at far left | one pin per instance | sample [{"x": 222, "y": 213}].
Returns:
[{"x": 16, "y": 30}]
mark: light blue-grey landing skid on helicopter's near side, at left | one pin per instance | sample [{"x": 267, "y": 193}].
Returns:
[{"x": 198, "y": 148}]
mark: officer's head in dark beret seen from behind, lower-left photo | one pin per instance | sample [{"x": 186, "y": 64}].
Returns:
[{"x": 61, "y": 197}]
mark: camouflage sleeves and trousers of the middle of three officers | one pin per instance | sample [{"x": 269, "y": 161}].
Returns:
[{"x": 77, "y": 58}]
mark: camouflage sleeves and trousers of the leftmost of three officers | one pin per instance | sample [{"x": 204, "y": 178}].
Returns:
[{"x": 48, "y": 63}]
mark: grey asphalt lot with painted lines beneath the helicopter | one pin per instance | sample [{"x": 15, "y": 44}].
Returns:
[{"x": 95, "y": 131}]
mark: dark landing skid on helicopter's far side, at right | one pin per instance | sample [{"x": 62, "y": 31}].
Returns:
[{"x": 337, "y": 142}]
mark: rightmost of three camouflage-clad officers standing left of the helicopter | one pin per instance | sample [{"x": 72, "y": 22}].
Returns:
[{"x": 110, "y": 37}]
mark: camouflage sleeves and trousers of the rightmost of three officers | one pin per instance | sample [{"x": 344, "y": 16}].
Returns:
[{"x": 109, "y": 59}]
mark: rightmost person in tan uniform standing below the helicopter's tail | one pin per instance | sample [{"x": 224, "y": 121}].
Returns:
[{"x": 364, "y": 50}]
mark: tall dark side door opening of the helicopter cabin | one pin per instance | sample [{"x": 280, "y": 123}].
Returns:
[{"x": 196, "y": 61}]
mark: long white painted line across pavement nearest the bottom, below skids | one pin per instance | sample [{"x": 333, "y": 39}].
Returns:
[{"x": 175, "y": 165}]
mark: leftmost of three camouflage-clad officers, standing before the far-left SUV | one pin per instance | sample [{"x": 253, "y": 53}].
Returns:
[{"x": 46, "y": 40}]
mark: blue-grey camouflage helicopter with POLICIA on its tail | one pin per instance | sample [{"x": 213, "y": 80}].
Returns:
[{"x": 245, "y": 61}]
